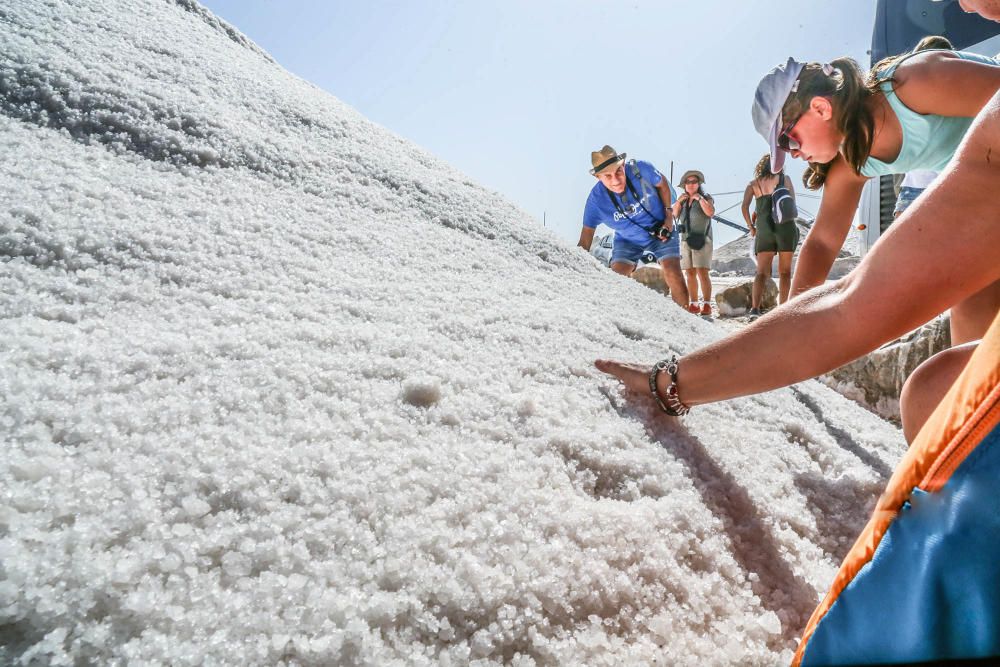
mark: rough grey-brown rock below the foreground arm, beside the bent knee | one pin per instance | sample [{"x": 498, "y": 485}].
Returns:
[{"x": 876, "y": 380}]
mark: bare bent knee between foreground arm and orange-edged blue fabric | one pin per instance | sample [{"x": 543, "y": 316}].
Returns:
[{"x": 928, "y": 384}]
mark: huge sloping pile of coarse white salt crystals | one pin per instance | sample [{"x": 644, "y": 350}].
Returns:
[{"x": 278, "y": 386}]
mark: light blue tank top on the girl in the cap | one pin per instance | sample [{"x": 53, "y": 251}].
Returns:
[{"x": 929, "y": 141}]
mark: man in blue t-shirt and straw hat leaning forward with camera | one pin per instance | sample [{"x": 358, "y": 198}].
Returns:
[{"x": 634, "y": 199}]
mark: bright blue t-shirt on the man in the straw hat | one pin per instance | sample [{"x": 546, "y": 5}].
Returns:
[{"x": 601, "y": 207}]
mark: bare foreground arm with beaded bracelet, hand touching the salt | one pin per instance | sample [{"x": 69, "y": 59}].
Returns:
[{"x": 942, "y": 249}]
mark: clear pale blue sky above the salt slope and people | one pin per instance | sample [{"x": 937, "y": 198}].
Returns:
[{"x": 516, "y": 93}]
